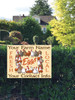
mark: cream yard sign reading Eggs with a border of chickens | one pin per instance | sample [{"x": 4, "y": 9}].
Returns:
[{"x": 29, "y": 61}]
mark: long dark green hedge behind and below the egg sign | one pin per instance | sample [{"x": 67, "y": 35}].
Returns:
[{"x": 60, "y": 87}]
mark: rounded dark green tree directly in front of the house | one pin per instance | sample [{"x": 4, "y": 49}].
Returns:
[{"x": 30, "y": 28}]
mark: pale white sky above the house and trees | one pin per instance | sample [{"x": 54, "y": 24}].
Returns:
[{"x": 10, "y": 8}]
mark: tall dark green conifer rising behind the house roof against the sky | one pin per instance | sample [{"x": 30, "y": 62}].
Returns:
[{"x": 40, "y": 8}]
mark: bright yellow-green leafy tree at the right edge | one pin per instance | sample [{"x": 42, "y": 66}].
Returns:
[{"x": 63, "y": 28}]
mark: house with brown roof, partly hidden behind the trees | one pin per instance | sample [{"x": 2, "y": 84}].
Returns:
[{"x": 42, "y": 20}]
